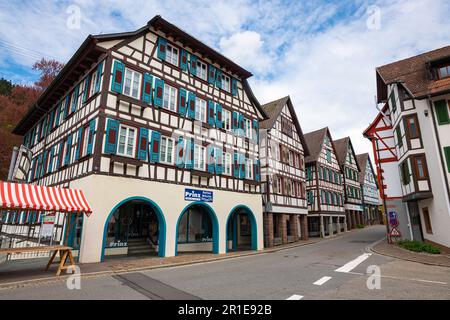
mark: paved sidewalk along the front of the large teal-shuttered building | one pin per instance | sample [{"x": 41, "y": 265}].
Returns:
[{"x": 25, "y": 272}]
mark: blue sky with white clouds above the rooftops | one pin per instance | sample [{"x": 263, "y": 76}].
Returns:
[{"x": 323, "y": 54}]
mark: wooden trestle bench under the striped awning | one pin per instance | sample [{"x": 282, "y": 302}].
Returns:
[{"x": 64, "y": 253}]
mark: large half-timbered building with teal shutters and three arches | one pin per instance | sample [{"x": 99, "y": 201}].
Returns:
[{"x": 161, "y": 133}]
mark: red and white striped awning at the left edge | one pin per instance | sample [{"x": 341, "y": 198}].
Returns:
[{"x": 18, "y": 196}]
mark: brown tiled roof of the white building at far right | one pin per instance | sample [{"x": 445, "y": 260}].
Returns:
[{"x": 415, "y": 74}]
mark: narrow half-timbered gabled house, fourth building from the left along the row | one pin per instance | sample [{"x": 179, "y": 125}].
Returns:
[{"x": 352, "y": 188}]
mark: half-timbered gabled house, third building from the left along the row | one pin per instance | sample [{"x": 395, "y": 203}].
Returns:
[{"x": 324, "y": 186}]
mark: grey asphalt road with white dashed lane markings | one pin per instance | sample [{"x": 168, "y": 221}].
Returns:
[{"x": 332, "y": 269}]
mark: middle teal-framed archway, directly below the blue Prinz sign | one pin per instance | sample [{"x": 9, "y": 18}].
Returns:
[{"x": 197, "y": 229}]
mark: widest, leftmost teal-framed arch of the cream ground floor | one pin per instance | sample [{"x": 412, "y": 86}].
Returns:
[{"x": 136, "y": 226}]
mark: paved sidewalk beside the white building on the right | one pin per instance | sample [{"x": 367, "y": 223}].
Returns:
[{"x": 395, "y": 251}]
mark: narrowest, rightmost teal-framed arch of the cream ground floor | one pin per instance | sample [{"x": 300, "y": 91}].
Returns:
[{"x": 241, "y": 229}]
